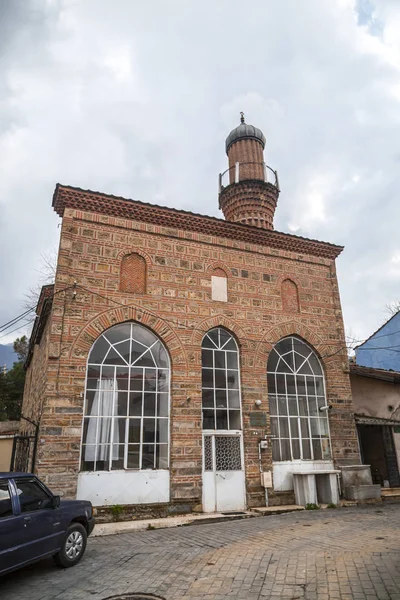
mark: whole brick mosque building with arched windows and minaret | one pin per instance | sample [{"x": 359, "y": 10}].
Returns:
[{"x": 148, "y": 363}]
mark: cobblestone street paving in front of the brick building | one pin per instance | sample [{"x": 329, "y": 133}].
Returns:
[{"x": 332, "y": 554}]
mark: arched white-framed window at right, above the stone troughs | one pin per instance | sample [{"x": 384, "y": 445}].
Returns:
[{"x": 296, "y": 392}]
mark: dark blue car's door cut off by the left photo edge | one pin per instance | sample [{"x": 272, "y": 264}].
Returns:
[{"x": 10, "y": 530}]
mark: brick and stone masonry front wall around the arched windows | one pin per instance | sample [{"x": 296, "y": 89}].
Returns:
[{"x": 177, "y": 306}]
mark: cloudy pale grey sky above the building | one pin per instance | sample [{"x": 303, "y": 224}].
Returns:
[{"x": 136, "y": 97}]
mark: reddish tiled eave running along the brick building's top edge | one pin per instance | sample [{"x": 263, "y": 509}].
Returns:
[{"x": 97, "y": 202}]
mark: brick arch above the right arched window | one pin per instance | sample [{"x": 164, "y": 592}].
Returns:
[{"x": 297, "y": 329}]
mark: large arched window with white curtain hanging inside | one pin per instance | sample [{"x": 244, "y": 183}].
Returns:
[{"x": 126, "y": 413}]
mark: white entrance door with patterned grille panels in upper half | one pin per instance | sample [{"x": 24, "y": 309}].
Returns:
[{"x": 223, "y": 474}]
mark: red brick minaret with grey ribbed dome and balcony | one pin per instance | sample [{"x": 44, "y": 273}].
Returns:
[{"x": 248, "y": 189}]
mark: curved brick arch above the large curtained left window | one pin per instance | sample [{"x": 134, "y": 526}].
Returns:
[{"x": 103, "y": 321}]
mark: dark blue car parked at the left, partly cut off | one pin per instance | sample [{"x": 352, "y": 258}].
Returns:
[{"x": 34, "y": 524}]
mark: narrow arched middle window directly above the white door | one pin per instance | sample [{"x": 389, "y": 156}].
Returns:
[{"x": 220, "y": 381}]
